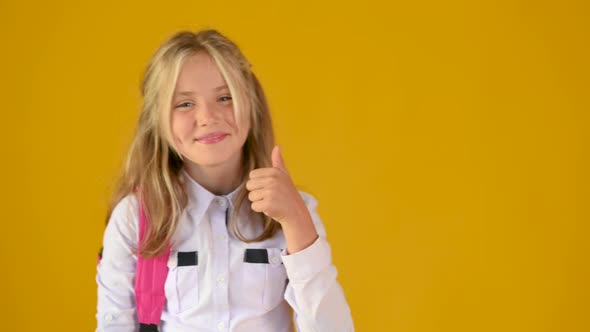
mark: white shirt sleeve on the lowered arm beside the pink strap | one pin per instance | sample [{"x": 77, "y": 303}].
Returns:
[{"x": 116, "y": 270}]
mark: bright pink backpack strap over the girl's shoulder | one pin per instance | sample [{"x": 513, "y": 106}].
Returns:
[{"x": 150, "y": 277}]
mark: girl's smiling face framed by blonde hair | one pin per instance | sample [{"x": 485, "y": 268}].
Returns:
[{"x": 202, "y": 118}]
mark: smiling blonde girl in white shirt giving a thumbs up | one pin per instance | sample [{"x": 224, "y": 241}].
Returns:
[{"x": 206, "y": 231}]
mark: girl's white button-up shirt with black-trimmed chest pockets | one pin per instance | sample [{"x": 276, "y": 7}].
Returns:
[{"x": 222, "y": 292}]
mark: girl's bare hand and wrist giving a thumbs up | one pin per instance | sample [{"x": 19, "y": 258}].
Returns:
[{"x": 273, "y": 193}]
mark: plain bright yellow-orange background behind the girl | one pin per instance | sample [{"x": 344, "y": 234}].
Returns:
[{"x": 446, "y": 141}]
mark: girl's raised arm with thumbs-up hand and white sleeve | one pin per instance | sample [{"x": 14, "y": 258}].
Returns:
[{"x": 313, "y": 291}]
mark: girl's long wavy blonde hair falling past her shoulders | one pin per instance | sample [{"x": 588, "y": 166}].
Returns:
[{"x": 153, "y": 165}]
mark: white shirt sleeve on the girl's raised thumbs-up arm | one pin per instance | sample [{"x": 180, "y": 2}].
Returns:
[{"x": 313, "y": 292}]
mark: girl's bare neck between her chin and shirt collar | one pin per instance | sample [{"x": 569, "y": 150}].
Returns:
[{"x": 218, "y": 179}]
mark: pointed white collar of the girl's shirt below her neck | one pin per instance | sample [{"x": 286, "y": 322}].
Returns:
[{"x": 199, "y": 198}]
